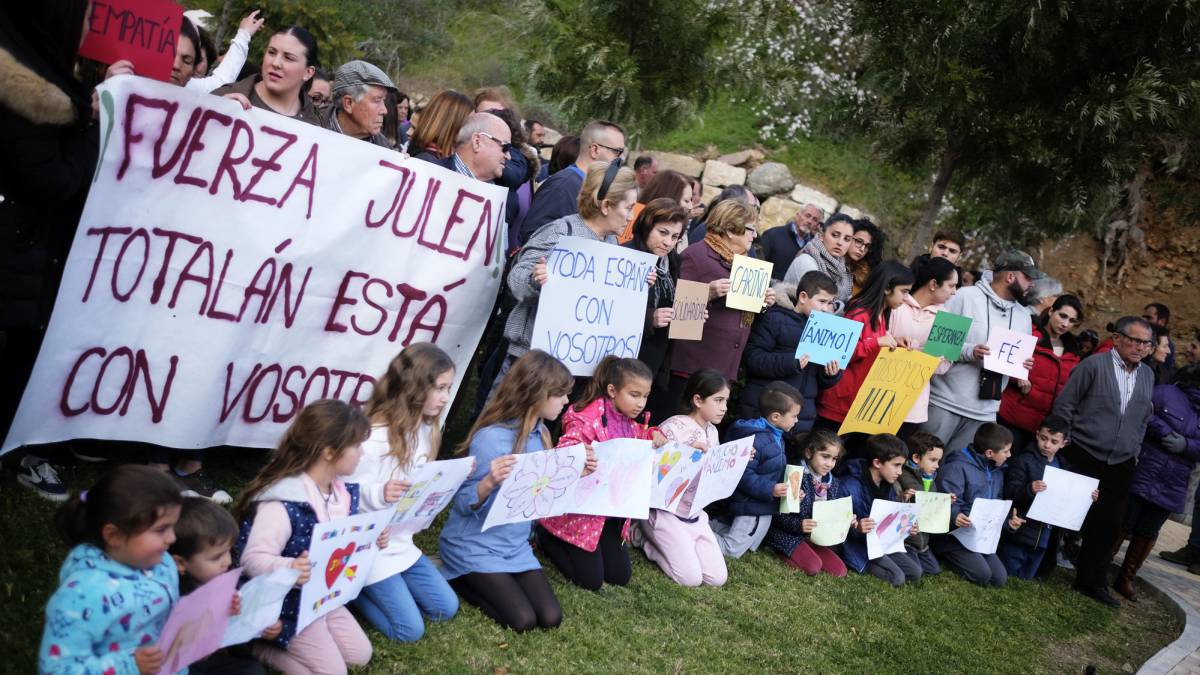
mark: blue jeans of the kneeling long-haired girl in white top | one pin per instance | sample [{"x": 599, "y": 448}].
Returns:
[{"x": 398, "y": 605}]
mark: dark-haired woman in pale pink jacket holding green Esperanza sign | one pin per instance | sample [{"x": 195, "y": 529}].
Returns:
[{"x": 935, "y": 283}]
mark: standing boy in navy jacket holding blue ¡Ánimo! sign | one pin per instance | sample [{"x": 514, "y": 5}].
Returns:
[{"x": 771, "y": 350}]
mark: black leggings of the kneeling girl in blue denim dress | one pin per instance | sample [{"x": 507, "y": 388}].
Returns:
[{"x": 520, "y": 601}]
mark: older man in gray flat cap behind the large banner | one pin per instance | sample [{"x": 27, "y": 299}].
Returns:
[{"x": 361, "y": 103}]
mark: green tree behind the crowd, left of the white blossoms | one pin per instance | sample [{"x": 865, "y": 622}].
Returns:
[{"x": 645, "y": 64}]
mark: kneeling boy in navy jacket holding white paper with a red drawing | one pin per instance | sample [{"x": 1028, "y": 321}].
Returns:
[{"x": 869, "y": 480}]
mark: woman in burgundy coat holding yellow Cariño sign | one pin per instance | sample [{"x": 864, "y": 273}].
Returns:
[{"x": 731, "y": 230}]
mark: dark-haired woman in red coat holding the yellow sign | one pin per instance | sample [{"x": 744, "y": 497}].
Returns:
[{"x": 873, "y": 307}]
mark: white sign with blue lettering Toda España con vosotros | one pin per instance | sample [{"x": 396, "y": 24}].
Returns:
[{"x": 593, "y": 304}]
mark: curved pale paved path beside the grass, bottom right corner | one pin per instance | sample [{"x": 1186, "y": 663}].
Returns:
[{"x": 1181, "y": 658}]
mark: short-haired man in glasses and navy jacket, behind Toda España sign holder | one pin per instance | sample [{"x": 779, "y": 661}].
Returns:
[{"x": 560, "y": 195}]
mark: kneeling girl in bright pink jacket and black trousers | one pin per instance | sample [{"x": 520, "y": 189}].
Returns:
[{"x": 591, "y": 549}]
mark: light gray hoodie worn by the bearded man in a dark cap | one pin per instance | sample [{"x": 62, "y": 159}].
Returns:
[{"x": 958, "y": 390}]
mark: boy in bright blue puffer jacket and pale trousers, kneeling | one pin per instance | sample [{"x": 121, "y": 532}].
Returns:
[{"x": 763, "y": 482}]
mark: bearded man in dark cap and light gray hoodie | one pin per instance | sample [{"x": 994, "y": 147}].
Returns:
[{"x": 967, "y": 396}]
